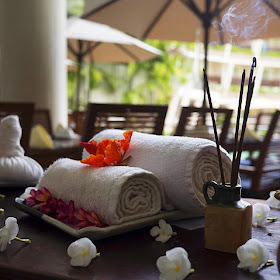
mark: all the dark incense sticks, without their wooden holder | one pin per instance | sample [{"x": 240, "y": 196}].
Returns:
[{"x": 237, "y": 144}]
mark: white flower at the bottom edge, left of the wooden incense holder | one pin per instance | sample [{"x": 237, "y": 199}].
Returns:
[{"x": 175, "y": 265}]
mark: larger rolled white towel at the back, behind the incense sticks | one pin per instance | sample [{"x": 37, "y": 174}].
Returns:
[{"x": 182, "y": 164}]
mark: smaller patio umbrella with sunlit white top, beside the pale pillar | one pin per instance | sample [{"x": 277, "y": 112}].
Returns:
[{"x": 87, "y": 39}]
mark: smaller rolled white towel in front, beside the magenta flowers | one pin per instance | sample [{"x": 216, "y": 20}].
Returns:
[{"x": 116, "y": 193}]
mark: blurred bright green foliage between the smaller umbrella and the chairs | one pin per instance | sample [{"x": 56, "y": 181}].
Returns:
[{"x": 148, "y": 82}]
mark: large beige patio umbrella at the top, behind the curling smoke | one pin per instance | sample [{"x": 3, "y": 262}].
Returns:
[{"x": 179, "y": 19}]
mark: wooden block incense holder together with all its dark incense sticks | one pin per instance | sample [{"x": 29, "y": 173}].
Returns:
[{"x": 228, "y": 219}]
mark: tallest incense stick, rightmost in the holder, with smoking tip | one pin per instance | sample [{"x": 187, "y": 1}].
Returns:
[{"x": 250, "y": 91}]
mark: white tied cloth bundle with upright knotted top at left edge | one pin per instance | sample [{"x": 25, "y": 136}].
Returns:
[{"x": 16, "y": 169}]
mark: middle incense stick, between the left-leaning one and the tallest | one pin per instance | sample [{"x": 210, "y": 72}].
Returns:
[{"x": 233, "y": 168}]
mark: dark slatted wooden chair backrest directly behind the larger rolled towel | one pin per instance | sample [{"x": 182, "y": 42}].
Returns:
[{"x": 143, "y": 118}]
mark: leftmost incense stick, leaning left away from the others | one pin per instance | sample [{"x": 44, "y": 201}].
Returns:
[{"x": 215, "y": 128}]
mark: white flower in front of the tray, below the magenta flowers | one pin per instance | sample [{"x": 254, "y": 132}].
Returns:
[{"x": 82, "y": 251}]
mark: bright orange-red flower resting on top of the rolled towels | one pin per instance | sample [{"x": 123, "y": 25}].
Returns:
[{"x": 107, "y": 152}]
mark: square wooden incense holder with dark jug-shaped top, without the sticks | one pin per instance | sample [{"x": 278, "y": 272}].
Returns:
[{"x": 228, "y": 219}]
